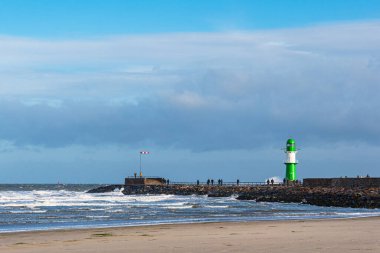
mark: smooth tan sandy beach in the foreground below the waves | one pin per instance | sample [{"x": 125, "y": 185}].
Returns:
[{"x": 339, "y": 235}]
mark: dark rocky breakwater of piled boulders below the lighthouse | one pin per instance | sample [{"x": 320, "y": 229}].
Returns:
[{"x": 321, "y": 196}]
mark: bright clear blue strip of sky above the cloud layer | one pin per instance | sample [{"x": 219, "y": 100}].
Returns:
[{"x": 71, "y": 18}]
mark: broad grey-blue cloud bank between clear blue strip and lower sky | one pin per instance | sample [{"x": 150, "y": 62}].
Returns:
[{"x": 201, "y": 91}]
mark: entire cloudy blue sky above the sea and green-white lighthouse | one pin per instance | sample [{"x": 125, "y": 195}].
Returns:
[{"x": 213, "y": 89}]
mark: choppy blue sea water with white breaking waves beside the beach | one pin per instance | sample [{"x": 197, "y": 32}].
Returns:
[{"x": 47, "y": 207}]
